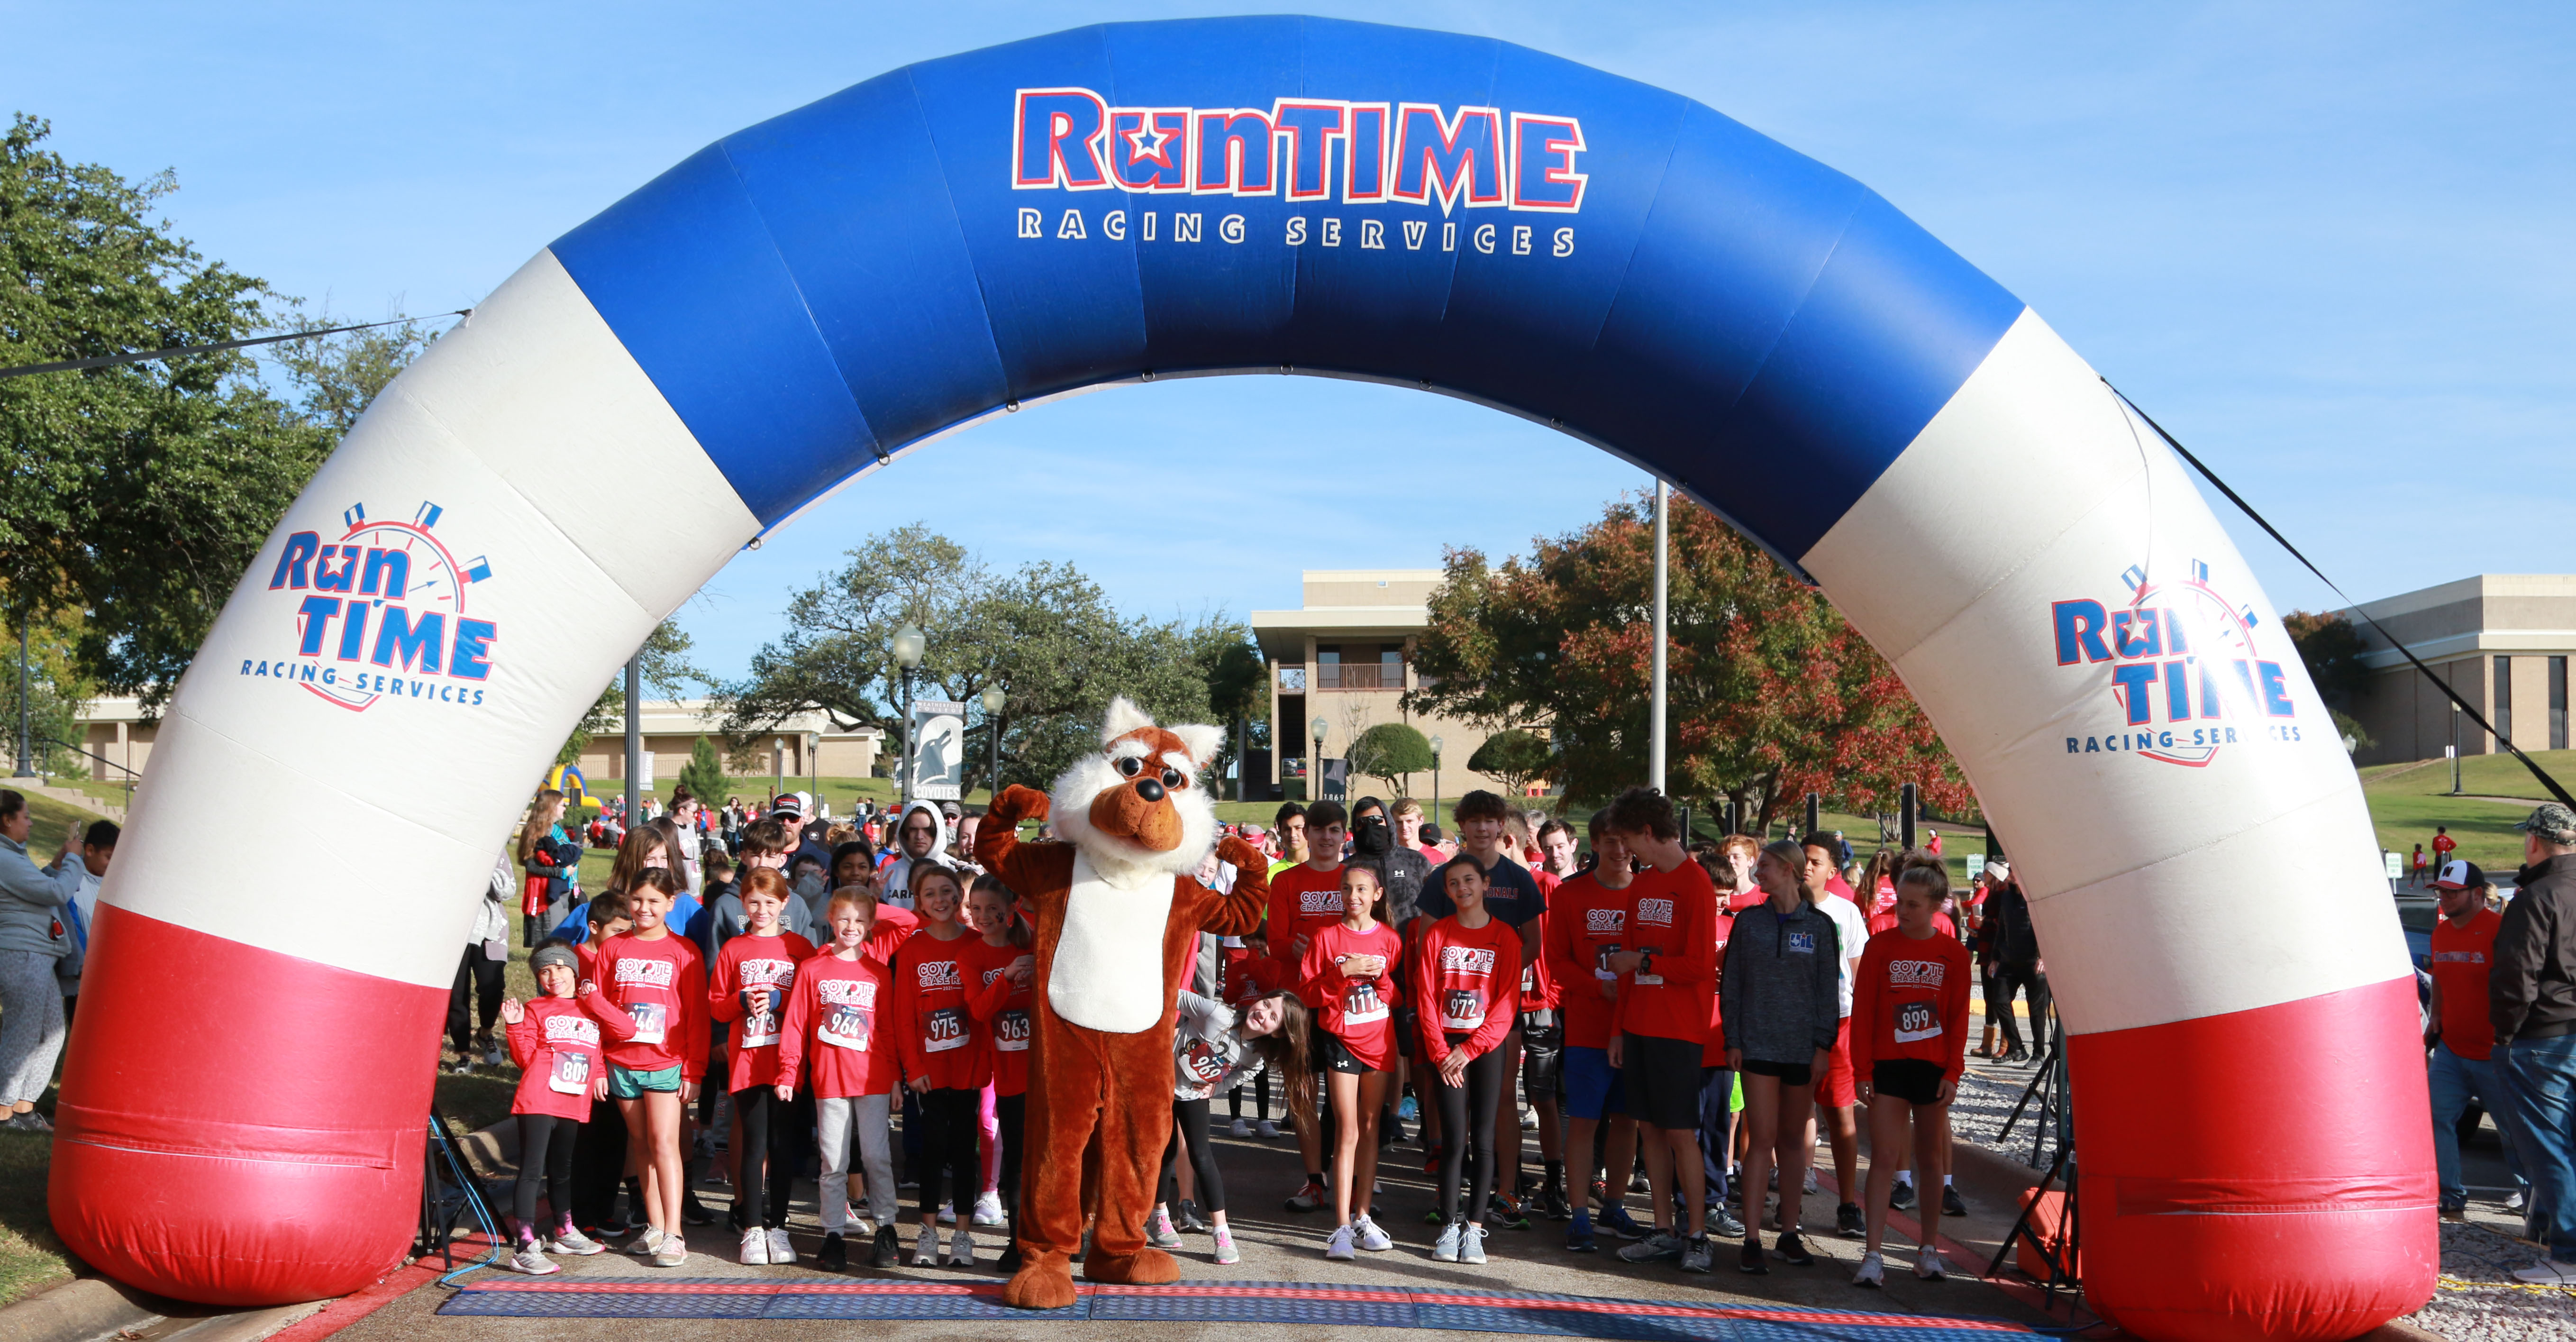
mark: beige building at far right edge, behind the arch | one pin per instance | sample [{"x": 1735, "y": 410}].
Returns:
[{"x": 2500, "y": 640}]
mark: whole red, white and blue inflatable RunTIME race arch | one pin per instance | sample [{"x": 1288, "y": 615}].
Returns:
[{"x": 960, "y": 238}]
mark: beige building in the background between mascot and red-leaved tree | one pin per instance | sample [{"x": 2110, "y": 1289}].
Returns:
[{"x": 1346, "y": 658}]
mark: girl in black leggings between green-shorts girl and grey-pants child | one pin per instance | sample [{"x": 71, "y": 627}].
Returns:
[{"x": 751, "y": 993}]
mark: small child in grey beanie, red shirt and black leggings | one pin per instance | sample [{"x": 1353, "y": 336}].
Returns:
[{"x": 558, "y": 1050}]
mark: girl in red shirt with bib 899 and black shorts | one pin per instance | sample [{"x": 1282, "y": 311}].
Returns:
[{"x": 1910, "y": 1042}]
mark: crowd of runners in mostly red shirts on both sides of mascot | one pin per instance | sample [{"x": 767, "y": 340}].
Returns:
[{"x": 753, "y": 996}]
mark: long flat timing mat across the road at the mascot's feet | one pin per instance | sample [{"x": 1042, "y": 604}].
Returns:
[{"x": 1379, "y": 1307}]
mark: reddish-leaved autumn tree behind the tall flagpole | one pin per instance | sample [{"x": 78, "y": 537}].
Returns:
[{"x": 1774, "y": 694}]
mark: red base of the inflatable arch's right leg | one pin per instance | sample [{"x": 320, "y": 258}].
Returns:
[{"x": 2289, "y": 1137}]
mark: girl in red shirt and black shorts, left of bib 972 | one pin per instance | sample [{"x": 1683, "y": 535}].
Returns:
[{"x": 1349, "y": 972}]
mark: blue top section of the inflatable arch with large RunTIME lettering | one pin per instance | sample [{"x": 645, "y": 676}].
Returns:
[{"x": 859, "y": 274}]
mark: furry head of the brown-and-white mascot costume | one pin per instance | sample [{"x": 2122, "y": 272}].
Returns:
[{"x": 1140, "y": 805}]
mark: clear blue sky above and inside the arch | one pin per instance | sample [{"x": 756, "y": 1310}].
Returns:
[{"x": 2330, "y": 246}]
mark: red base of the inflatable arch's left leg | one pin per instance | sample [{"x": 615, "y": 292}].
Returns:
[{"x": 305, "y": 1114}]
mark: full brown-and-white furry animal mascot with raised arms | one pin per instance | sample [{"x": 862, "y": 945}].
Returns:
[{"x": 1119, "y": 921}]
